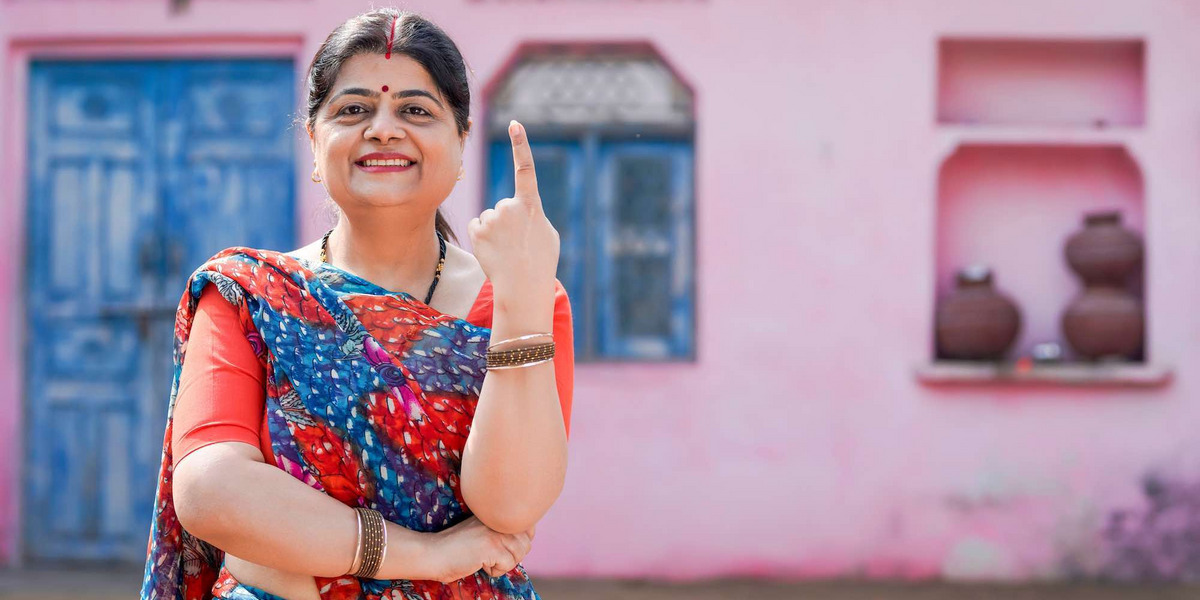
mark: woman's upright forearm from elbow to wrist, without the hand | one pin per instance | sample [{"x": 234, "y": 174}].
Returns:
[{"x": 515, "y": 459}]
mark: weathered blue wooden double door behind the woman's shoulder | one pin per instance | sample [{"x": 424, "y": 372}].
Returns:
[{"x": 137, "y": 172}]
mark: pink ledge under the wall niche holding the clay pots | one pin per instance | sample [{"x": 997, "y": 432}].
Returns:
[{"x": 1069, "y": 374}]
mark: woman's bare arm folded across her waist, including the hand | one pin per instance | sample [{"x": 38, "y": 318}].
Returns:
[{"x": 229, "y": 496}]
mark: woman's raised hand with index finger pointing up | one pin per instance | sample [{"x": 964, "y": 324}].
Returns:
[{"x": 515, "y": 244}]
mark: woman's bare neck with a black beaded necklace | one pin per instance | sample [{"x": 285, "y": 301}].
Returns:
[{"x": 399, "y": 256}]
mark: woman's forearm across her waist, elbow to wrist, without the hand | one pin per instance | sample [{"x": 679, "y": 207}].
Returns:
[{"x": 226, "y": 496}]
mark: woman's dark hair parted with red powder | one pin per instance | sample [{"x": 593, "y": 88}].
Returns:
[{"x": 415, "y": 38}]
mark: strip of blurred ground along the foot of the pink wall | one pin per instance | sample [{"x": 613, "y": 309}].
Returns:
[{"x": 113, "y": 585}]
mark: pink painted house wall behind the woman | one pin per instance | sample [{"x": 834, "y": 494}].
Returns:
[{"x": 800, "y": 443}]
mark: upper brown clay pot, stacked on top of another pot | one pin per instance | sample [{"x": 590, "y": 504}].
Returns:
[{"x": 1105, "y": 253}]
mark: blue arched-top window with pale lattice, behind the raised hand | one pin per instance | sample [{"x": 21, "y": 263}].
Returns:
[{"x": 613, "y": 135}]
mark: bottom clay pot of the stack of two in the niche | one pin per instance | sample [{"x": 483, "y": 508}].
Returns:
[{"x": 1105, "y": 322}]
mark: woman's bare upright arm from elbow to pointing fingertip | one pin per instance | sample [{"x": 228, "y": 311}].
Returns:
[{"x": 515, "y": 459}]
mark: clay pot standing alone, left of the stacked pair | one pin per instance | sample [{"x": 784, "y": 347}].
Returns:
[{"x": 976, "y": 322}]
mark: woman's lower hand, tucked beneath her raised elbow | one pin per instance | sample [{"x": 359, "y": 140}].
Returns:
[{"x": 470, "y": 547}]
